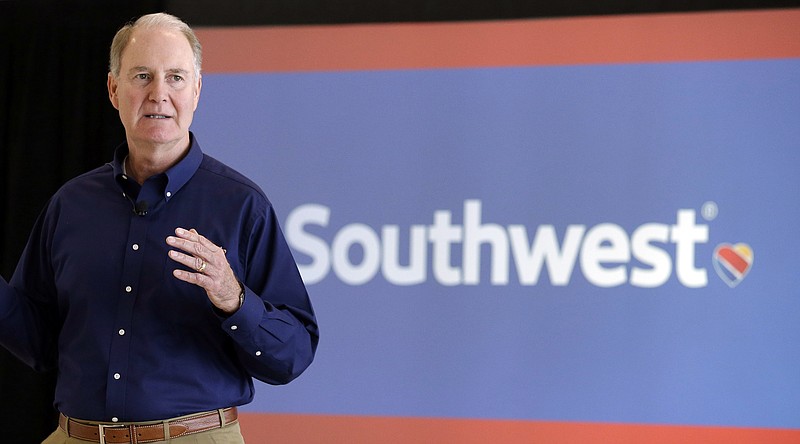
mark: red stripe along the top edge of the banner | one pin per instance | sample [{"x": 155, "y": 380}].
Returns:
[{"x": 765, "y": 34}]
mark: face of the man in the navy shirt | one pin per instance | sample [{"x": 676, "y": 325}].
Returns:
[{"x": 156, "y": 92}]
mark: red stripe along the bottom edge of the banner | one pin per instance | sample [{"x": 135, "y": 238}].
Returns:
[{"x": 299, "y": 429}]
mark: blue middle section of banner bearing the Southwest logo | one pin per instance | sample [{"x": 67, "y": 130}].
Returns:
[{"x": 609, "y": 243}]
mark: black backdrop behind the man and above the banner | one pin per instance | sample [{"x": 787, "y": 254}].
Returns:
[{"x": 56, "y": 121}]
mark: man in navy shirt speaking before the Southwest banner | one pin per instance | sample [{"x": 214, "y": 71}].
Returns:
[{"x": 159, "y": 284}]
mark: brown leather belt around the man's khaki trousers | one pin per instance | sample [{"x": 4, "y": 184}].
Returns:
[{"x": 135, "y": 433}]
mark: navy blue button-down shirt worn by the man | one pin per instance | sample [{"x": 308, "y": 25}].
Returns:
[{"x": 94, "y": 295}]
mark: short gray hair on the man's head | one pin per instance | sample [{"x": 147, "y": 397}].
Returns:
[{"x": 123, "y": 37}]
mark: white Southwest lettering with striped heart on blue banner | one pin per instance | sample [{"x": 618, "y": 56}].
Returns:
[{"x": 449, "y": 252}]
